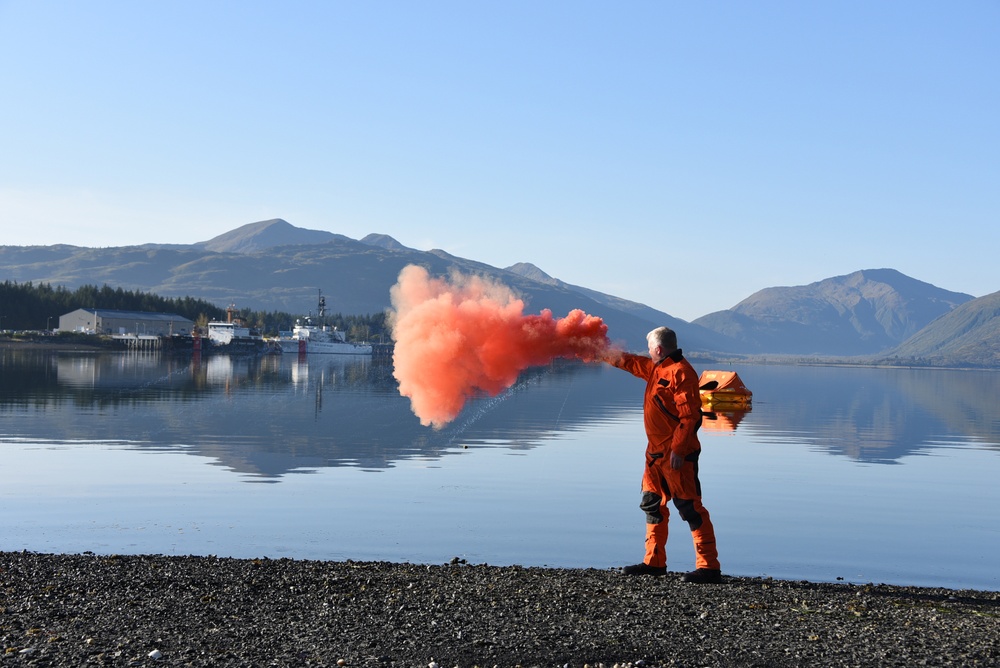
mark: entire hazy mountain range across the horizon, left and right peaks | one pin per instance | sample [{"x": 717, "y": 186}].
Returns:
[{"x": 869, "y": 315}]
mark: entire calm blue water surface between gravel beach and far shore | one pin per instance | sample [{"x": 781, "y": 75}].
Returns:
[{"x": 870, "y": 475}]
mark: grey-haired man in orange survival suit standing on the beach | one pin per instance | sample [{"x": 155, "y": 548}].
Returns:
[{"x": 672, "y": 414}]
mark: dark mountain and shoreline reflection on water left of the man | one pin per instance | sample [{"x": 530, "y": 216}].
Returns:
[{"x": 269, "y": 416}]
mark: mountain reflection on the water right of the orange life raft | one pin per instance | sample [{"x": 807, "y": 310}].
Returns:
[{"x": 874, "y": 415}]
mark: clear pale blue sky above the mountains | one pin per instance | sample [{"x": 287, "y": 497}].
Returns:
[{"x": 683, "y": 155}]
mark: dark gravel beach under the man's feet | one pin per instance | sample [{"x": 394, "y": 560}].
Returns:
[{"x": 82, "y": 610}]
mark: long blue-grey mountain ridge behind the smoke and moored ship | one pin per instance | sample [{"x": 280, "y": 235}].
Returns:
[{"x": 271, "y": 266}]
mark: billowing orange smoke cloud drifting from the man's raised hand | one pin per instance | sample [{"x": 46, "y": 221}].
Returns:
[{"x": 460, "y": 337}]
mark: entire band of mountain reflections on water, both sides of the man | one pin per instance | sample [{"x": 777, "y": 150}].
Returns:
[{"x": 270, "y": 416}]
